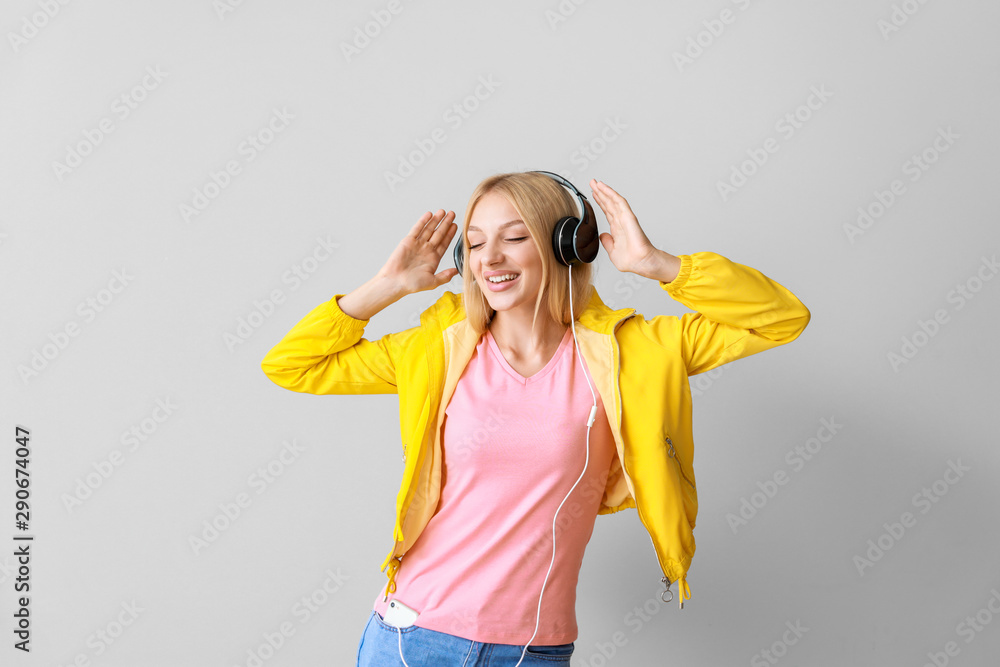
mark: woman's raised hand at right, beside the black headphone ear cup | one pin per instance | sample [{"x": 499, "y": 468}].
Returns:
[{"x": 626, "y": 245}]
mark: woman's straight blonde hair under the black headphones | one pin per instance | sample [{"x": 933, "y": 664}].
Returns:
[{"x": 541, "y": 202}]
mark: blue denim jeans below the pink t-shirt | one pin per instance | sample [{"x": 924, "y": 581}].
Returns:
[{"x": 380, "y": 646}]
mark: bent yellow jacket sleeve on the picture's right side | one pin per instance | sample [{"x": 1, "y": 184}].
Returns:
[{"x": 739, "y": 312}]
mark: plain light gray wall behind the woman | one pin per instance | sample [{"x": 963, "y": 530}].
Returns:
[{"x": 681, "y": 131}]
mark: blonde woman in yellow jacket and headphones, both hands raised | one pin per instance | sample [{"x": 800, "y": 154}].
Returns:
[{"x": 499, "y": 389}]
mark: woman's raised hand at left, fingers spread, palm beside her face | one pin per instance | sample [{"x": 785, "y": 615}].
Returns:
[{"x": 413, "y": 263}]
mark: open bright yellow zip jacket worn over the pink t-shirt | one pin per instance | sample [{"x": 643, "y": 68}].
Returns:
[{"x": 640, "y": 367}]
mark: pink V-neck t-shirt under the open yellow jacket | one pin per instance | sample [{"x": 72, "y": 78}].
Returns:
[{"x": 513, "y": 448}]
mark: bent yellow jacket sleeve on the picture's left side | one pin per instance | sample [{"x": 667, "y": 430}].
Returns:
[{"x": 325, "y": 354}]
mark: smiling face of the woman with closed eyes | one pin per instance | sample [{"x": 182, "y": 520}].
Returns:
[{"x": 498, "y": 247}]
